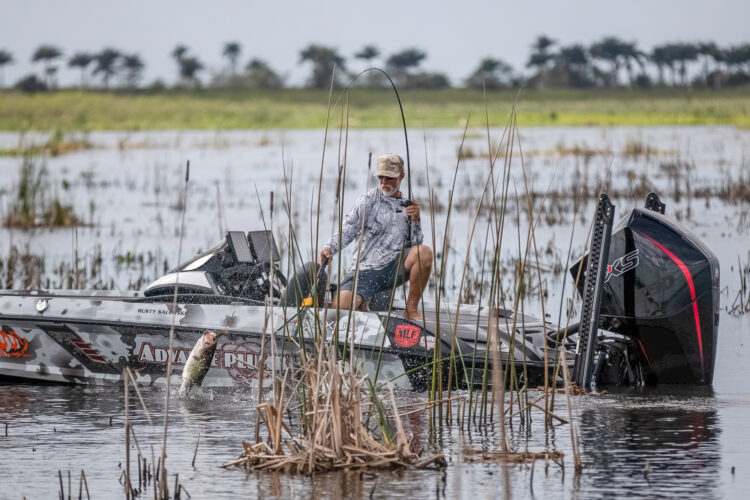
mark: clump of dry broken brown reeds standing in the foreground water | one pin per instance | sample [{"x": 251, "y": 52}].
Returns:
[{"x": 337, "y": 435}]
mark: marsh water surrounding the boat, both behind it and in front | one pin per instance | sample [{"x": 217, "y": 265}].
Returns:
[{"x": 691, "y": 438}]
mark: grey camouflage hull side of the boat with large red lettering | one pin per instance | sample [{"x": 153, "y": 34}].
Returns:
[{"x": 96, "y": 353}]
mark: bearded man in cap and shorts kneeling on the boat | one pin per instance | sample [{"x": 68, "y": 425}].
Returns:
[{"x": 391, "y": 251}]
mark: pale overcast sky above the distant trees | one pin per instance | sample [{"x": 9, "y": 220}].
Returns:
[{"x": 455, "y": 35}]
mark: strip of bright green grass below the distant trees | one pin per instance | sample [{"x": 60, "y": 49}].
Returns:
[{"x": 238, "y": 108}]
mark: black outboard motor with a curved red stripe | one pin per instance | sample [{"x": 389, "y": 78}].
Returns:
[{"x": 662, "y": 290}]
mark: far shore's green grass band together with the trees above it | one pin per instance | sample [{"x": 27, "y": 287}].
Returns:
[{"x": 610, "y": 82}]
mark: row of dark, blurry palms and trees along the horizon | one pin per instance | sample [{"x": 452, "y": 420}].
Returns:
[{"x": 602, "y": 64}]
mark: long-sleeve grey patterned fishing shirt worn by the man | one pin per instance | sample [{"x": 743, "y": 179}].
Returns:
[{"x": 385, "y": 230}]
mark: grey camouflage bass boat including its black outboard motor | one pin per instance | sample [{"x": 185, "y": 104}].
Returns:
[{"x": 650, "y": 292}]
